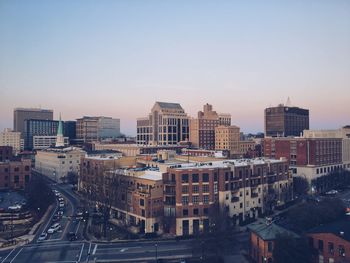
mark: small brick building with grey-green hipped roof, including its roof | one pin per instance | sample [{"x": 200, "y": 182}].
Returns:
[{"x": 262, "y": 240}]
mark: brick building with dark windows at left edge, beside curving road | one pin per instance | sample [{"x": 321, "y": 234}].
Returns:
[{"x": 15, "y": 175}]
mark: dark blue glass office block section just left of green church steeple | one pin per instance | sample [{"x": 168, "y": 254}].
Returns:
[{"x": 38, "y": 128}]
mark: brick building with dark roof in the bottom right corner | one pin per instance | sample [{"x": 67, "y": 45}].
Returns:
[{"x": 331, "y": 242}]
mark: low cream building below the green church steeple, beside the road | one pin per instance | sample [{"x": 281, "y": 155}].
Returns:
[{"x": 56, "y": 163}]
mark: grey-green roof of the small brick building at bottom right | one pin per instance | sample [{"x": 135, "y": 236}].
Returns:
[{"x": 269, "y": 231}]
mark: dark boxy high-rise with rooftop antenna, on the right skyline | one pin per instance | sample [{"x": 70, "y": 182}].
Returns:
[{"x": 283, "y": 121}]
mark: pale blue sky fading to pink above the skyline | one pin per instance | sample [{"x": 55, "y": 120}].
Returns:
[{"x": 116, "y": 58}]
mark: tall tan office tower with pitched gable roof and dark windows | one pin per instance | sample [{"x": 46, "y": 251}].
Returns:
[{"x": 167, "y": 124}]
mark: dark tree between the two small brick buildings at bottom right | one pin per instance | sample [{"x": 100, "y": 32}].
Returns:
[{"x": 288, "y": 249}]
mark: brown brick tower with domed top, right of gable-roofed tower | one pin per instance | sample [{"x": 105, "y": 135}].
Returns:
[{"x": 202, "y": 128}]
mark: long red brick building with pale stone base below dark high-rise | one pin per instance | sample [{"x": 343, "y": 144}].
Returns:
[{"x": 308, "y": 157}]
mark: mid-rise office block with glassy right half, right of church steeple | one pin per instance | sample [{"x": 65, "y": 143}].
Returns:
[{"x": 91, "y": 129}]
